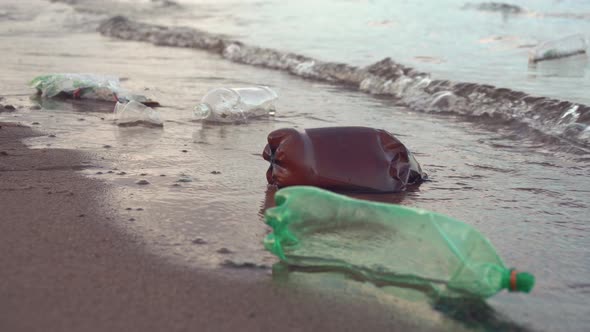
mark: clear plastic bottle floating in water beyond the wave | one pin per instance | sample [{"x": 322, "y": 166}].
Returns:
[{"x": 556, "y": 49}]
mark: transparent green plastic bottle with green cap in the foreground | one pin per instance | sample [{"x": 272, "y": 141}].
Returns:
[{"x": 387, "y": 244}]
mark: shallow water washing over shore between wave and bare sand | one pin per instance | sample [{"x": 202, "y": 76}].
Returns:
[{"x": 528, "y": 197}]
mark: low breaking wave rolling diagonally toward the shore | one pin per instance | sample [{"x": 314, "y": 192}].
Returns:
[{"x": 561, "y": 120}]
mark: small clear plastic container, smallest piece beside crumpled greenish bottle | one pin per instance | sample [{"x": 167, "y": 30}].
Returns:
[{"x": 136, "y": 114}]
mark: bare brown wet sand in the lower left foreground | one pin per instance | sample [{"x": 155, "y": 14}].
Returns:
[{"x": 65, "y": 267}]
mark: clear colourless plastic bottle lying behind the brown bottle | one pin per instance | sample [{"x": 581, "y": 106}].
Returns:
[{"x": 236, "y": 104}]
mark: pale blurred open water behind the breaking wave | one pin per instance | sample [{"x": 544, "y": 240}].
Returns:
[{"x": 452, "y": 39}]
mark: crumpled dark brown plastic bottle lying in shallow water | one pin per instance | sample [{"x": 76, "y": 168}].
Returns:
[{"x": 340, "y": 158}]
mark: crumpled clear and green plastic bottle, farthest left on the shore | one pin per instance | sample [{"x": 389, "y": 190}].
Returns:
[{"x": 88, "y": 86}]
